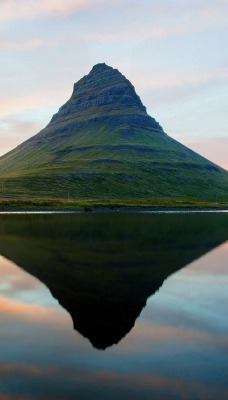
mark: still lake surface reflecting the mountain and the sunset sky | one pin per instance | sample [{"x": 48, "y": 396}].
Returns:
[{"x": 114, "y": 306}]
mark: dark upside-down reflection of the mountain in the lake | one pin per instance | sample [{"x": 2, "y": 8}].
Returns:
[{"x": 103, "y": 267}]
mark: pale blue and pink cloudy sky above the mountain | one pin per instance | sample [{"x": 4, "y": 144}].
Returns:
[{"x": 174, "y": 52}]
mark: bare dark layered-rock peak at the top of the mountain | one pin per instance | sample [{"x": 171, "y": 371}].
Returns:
[{"x": 105, "y": 92}]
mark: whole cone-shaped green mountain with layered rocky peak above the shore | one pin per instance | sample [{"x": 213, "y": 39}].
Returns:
[{"x": 103, "y": 144}]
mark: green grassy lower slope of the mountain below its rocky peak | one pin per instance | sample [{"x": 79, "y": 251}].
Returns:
[{"x": 101, "y": 165}]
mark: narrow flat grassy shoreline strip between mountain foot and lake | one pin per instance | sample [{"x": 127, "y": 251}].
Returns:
[{"x": 37, "y": 204}]
